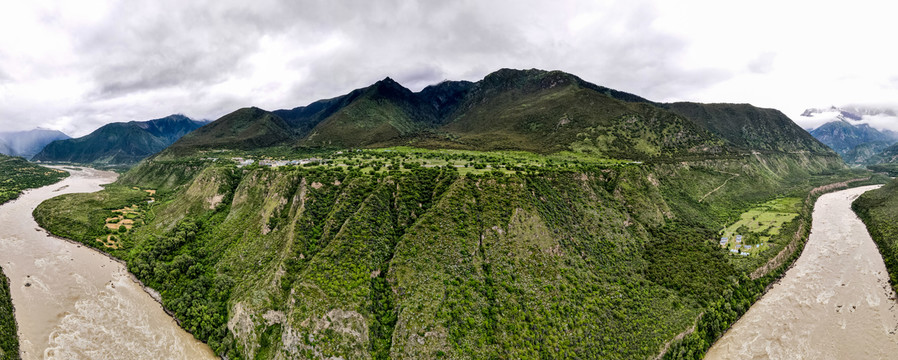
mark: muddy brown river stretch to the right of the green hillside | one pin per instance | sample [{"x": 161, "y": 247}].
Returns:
[{"x": 834, "y": 303}]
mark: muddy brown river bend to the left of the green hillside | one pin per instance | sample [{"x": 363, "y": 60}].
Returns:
[{"x": 76, "y": 303}]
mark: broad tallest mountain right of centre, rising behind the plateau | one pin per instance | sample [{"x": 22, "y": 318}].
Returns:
[{"x": 547, "y": 112}]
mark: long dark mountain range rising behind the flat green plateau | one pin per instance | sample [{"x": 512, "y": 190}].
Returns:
[{"x": 530, "y": 110}]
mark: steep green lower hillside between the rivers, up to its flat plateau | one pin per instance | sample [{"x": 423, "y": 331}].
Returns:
[{"x": 412, "y": 253}]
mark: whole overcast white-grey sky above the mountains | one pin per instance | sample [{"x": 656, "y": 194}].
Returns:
[{"x": 75, "y": 65}]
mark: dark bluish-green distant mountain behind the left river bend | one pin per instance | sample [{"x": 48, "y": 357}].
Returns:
[{"x": 120, "y": 144}]
